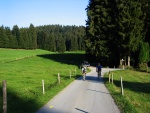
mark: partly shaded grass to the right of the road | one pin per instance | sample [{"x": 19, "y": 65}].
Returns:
[{"x": 136, "y": 98}]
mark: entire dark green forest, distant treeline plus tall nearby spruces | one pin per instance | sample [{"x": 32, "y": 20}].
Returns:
[{"x": 117, "y": 32}]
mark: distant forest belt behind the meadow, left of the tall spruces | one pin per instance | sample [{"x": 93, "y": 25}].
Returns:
[{"x": 49, "y": 37}]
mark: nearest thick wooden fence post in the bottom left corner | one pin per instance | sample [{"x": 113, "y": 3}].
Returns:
[{"x": 4, "y": 97}]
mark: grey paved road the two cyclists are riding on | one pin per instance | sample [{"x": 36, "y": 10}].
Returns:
[{"x": 90, "y": 96}]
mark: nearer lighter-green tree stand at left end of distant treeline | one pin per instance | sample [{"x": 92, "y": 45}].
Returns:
[{"x": 23, "y": 38}]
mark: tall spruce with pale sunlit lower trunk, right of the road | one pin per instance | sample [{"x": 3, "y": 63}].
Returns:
[{"x": 131, "y": 25}]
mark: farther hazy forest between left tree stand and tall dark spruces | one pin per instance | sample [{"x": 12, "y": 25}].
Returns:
[{"x": 61, "y": 38}]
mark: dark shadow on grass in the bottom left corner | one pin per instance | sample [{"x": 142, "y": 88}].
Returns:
[{"x": 16, "y": 104}]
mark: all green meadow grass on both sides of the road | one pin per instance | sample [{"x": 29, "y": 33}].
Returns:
[{"x": 24, "y": 71}]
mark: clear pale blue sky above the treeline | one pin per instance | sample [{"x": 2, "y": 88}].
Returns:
[{"x": 42, "y": 12}]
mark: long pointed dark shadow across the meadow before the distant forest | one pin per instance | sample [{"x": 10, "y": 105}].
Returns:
[{"x": 67, "y": 58}]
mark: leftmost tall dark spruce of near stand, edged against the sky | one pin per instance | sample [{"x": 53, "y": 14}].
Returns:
[{"x": 97, "y": 29}]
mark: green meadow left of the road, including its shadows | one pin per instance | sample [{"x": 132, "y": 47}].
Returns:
[{"x": 24, "y": 77}]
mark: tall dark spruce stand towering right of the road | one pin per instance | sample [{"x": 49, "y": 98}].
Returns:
[{"x": 119, "y": 30}]
